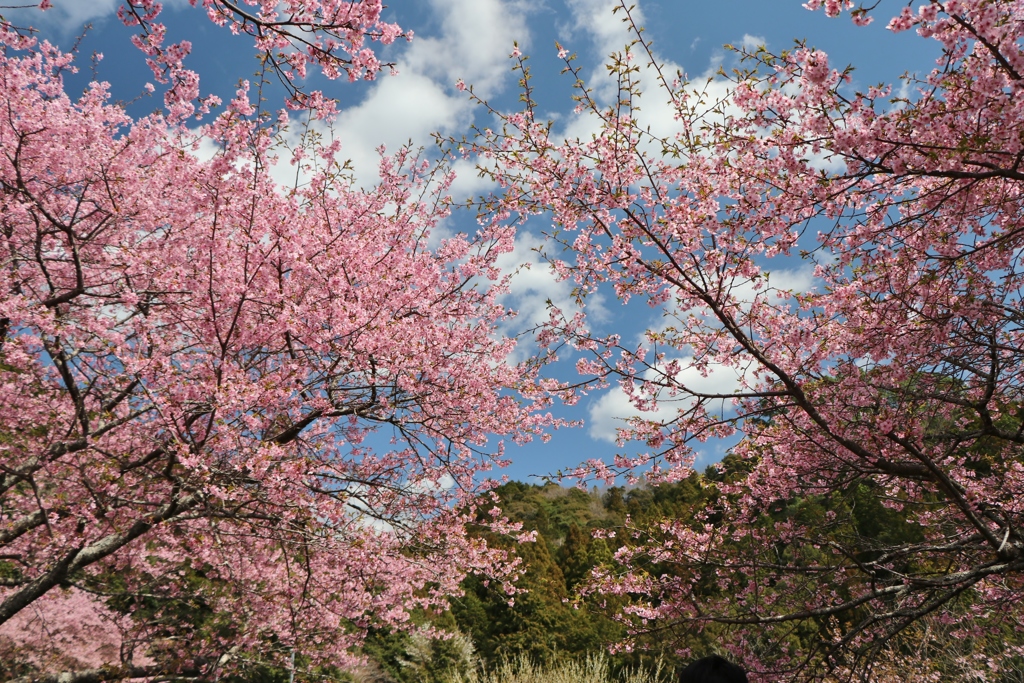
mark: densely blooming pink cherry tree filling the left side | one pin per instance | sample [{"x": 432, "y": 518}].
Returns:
[{"x": 272, "y": 406}]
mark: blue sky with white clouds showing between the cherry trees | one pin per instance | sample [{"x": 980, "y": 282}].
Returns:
[{"x": 472, "y": 40}]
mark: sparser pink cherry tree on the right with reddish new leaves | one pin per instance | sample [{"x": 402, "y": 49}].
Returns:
[{"x": 892, "y": 386}]
